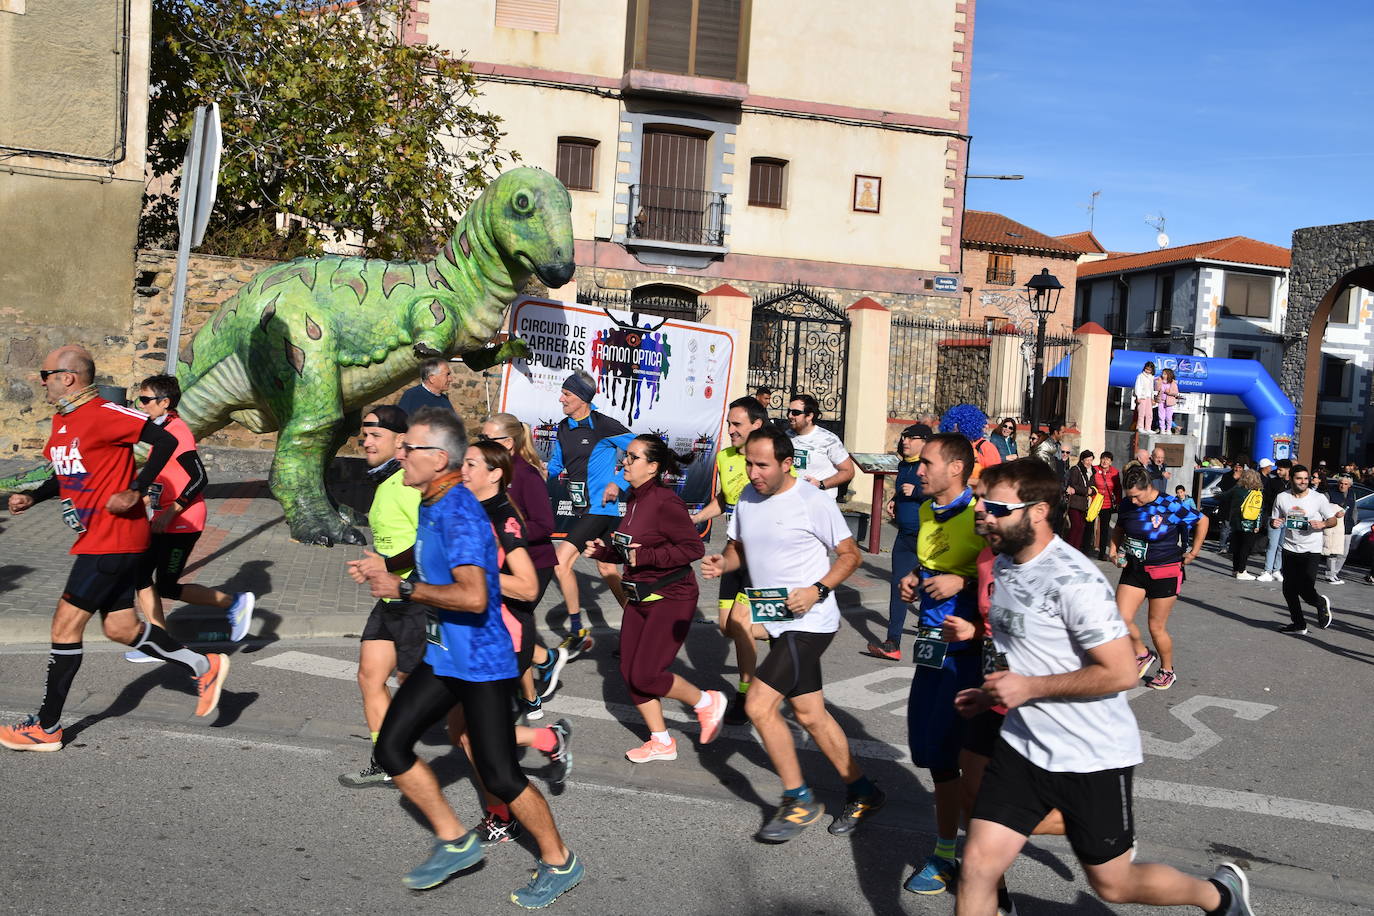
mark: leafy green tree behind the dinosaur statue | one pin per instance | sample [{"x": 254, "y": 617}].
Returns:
[{"x": 329, "y": 119}]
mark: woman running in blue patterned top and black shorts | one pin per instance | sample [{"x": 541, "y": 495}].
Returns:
[{"x": 1148, "y": 547}]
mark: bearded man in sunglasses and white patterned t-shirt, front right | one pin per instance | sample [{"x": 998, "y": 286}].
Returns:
[{"x": 1070, "y": 740}]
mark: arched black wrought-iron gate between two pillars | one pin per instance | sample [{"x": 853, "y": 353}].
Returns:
[{"x": 800, "y": 345}]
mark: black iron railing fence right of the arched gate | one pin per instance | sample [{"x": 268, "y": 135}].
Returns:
[{"x": 939, "y": 365}]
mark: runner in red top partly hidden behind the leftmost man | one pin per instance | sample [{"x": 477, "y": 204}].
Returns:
[{"x": 177, "y": 512}]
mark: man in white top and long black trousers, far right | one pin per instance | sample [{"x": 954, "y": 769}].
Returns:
[{"x": 1302, "y": 513}]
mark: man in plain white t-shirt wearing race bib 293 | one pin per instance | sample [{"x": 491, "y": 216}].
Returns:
[{"x": 787, "y": 531}]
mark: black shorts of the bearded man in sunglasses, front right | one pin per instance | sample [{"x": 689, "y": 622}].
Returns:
[{"x": 1097, "y": 808}]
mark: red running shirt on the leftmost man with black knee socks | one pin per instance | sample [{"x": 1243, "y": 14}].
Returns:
[{"x": 93, "y": 455}]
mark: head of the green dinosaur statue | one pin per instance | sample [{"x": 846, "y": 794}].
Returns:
[{"x": 530, "y": 219}]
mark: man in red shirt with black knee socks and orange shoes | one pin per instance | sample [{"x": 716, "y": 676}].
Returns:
[{"x": 91, "y": 451}]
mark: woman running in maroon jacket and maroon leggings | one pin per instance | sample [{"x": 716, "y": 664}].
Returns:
[{"x": 657, "y": 543}]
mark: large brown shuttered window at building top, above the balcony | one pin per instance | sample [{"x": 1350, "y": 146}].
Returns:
[{"x": 693, "y": 38}]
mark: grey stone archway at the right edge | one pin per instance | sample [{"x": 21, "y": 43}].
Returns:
[{"x": 1327, "y": 260}]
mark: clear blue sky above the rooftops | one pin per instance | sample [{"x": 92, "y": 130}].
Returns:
[{"x": 1230, "y": 117}]
